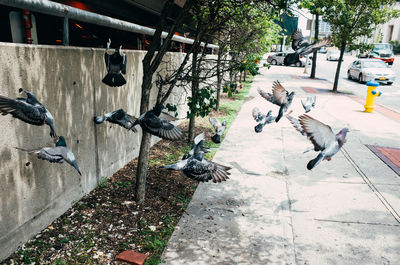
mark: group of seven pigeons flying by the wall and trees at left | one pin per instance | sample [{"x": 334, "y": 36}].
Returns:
[{"x": 154, "y": 121}]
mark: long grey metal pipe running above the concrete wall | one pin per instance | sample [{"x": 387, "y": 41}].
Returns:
[{"x": 60, "y": 10}]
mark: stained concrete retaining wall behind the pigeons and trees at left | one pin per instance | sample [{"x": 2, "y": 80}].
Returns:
[{"x": 67, "y": 80}]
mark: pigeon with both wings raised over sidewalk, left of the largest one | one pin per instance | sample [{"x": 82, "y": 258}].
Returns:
[{"x": 280, "y": 96}]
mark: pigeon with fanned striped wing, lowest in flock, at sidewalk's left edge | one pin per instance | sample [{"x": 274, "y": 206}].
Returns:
[{"x": 196, "y": 167}]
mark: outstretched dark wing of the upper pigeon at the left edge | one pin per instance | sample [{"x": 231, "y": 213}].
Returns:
[{"x": 22, "y": 110}]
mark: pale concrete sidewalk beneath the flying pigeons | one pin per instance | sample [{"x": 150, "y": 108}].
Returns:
[{"x": 275, "y": 211}]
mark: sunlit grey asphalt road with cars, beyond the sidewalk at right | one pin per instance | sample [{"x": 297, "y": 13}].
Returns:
[{"x": 390, "y": 93}]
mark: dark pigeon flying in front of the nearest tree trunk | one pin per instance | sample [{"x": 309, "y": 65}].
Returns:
[{"x": 155, "y": 122}]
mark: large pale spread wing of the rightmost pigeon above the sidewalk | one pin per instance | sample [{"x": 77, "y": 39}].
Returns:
[{"x": 320, "y": 134}]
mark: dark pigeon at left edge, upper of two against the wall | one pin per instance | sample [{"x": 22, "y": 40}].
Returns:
[{"x": 28, "y": 109}]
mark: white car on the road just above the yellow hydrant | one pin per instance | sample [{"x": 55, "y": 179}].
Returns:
[{"x": 365, "y": 70}]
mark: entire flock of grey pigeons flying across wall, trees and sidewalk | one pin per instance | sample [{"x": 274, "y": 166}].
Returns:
[{"x": 158, "y": 123}]
